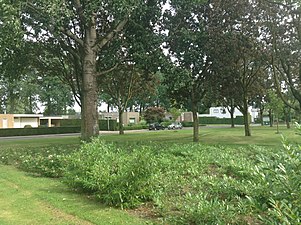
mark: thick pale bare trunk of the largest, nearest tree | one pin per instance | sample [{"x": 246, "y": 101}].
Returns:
[{"x": 90, "y": 126}]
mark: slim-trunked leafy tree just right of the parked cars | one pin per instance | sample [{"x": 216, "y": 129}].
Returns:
[{"x": 186, "y": 44}]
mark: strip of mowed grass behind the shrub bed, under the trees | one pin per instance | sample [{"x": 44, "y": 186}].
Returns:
[{"x": 213, "y": 135}]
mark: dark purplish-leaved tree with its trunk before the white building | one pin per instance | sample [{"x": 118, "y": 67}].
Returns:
[{"x": 237, "y": 51}]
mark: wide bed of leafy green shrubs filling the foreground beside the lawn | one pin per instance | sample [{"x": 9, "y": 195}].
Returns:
[{"x": 181, "y": 184}]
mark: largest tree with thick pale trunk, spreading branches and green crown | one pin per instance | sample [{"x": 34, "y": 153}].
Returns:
[{"x": 78, "y": 33}]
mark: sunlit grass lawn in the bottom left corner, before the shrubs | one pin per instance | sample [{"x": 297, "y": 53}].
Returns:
[{"x": 25, "y": 199}]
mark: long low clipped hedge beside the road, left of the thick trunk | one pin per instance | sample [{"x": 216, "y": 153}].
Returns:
[{"x": 37, "y": 131}]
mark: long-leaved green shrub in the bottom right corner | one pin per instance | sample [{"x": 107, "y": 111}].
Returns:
[{"x": 279, "y": 177}]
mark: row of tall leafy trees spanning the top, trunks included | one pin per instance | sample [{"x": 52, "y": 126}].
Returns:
[{"x": 134, "y": 52}]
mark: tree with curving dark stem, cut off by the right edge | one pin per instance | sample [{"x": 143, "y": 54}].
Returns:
[{"x": 281, "y": 23}]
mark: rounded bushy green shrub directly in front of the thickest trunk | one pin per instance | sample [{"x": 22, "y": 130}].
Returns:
[{"x": 116, "y": 177}]
